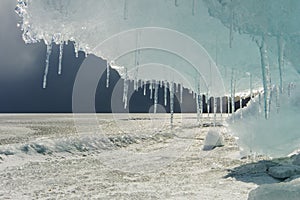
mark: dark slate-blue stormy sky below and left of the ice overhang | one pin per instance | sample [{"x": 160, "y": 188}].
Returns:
[{"x": 21, "y": 75}]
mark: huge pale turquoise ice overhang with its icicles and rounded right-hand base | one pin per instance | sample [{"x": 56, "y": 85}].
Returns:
[{"x": 213, "y": 47}]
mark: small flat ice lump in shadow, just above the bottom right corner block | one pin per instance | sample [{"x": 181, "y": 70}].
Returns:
[{"x": 284, "y": 171}]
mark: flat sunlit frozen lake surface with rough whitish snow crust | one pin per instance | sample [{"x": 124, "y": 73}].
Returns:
[{"x": 118, "y": 156}]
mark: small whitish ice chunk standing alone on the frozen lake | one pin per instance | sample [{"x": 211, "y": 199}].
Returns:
[{"x": 213, "y": 139}]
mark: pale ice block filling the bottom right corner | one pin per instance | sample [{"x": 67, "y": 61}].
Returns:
[{"x": 278, "y": 191}]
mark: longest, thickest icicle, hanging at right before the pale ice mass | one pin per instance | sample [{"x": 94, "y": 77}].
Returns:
[{"x": 266, "y": 76}]
